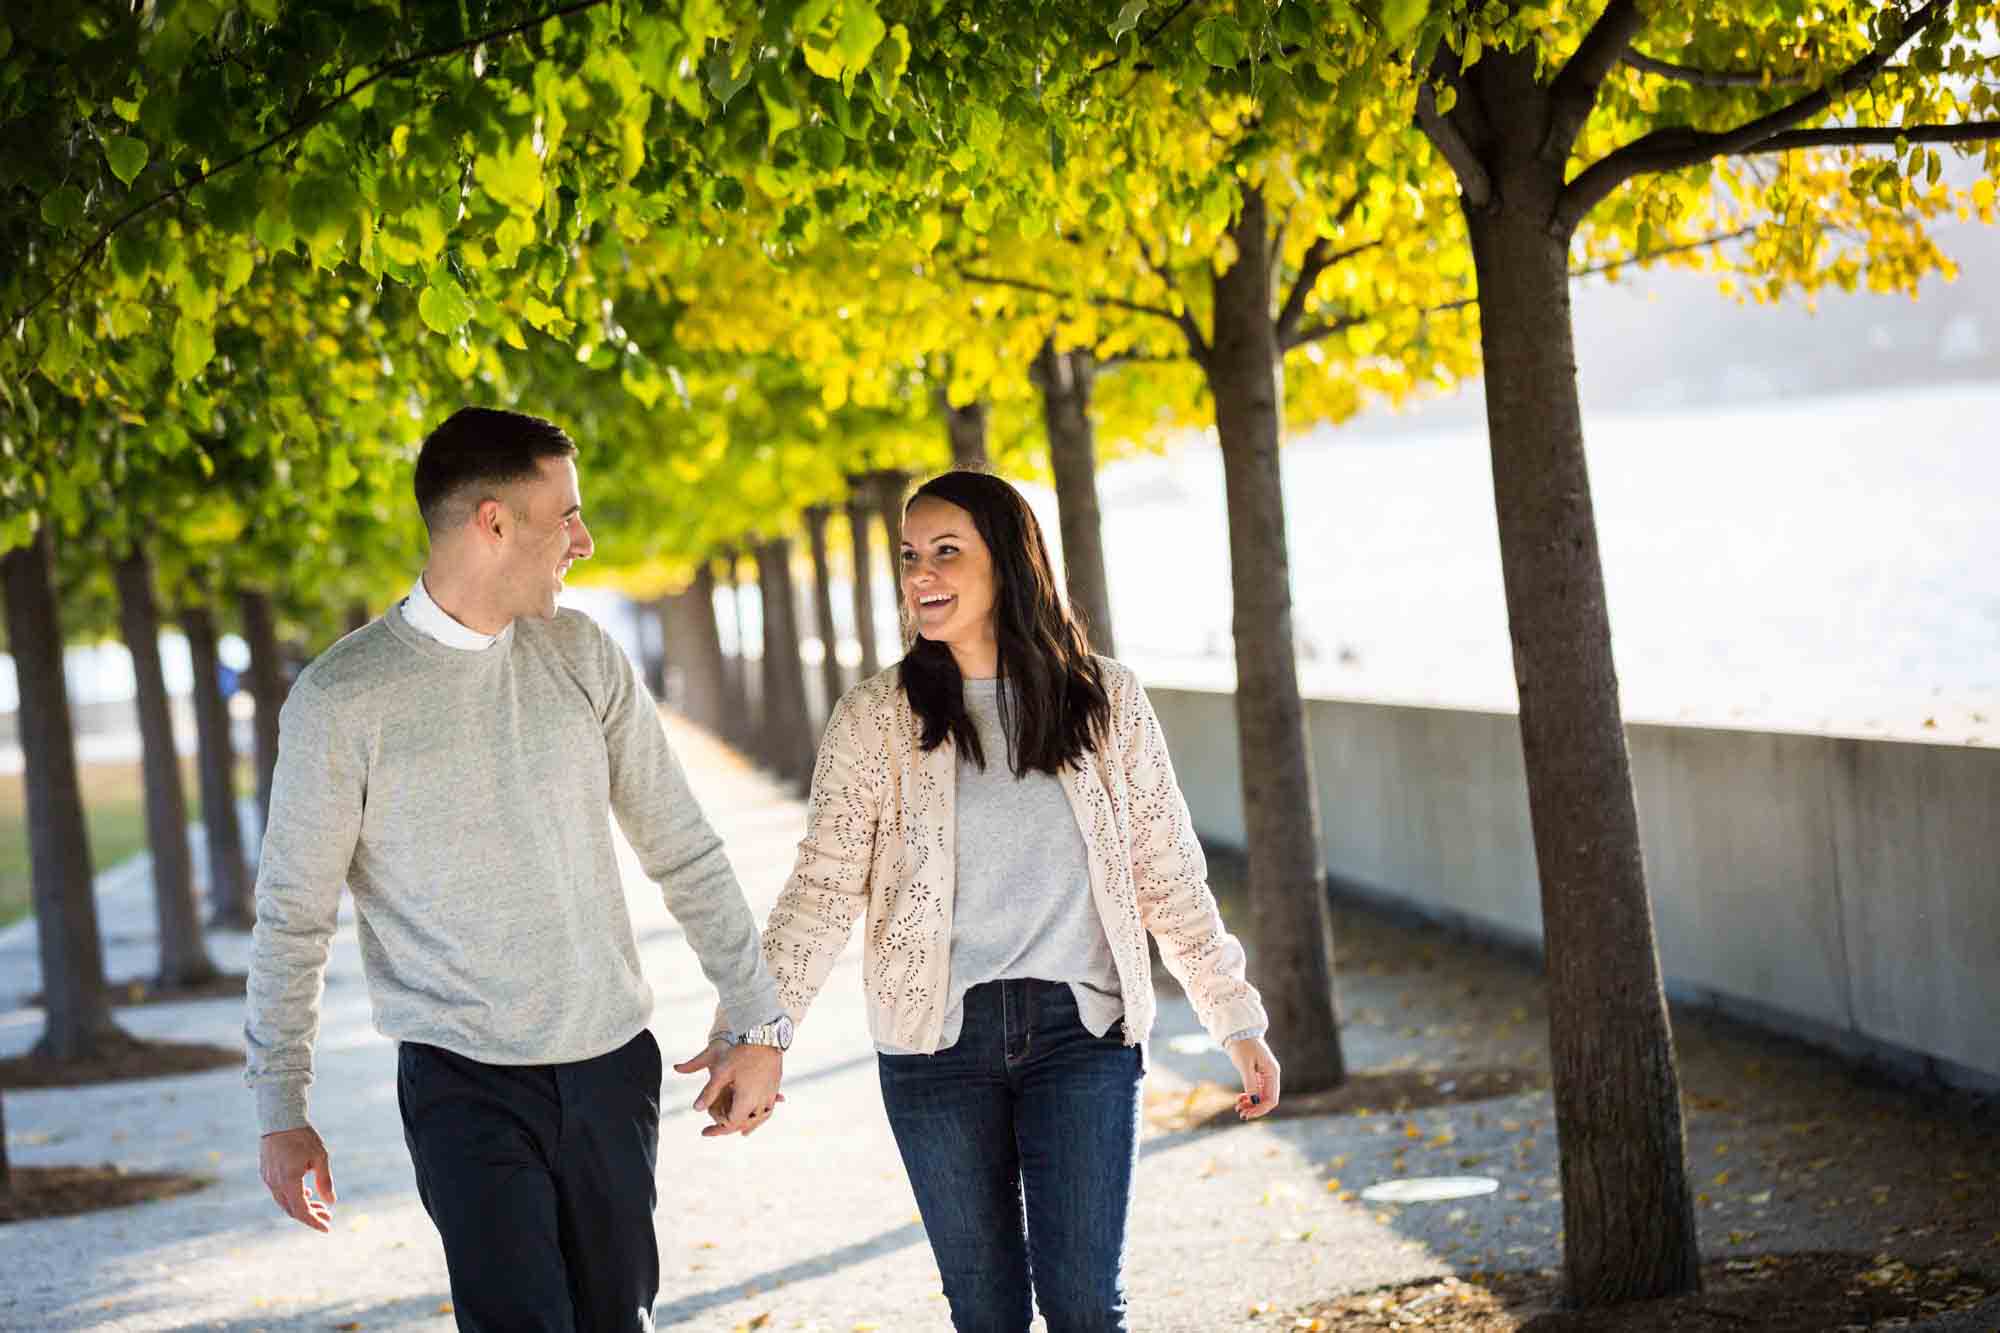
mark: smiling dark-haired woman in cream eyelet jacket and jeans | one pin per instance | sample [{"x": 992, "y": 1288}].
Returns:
[{"x": 1005, "y": 810}]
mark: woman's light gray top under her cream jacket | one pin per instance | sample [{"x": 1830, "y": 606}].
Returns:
[{"x": 1023, "y": 906}]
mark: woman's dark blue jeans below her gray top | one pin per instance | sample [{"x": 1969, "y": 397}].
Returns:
[{"x": 1021, "y": 1144}]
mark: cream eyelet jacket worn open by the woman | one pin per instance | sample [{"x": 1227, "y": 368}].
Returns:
[{"x": 881, "y": 838}]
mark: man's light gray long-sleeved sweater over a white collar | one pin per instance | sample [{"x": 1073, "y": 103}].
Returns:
[{"x": 463, "y": 800}]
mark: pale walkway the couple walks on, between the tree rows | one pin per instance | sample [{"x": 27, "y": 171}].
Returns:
[{"x": 811, "y": 1224}]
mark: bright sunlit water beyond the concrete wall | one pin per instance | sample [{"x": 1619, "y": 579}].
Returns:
[{"x": 1805, "y": 565}]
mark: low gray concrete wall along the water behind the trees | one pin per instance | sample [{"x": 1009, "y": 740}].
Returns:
[{"x": 1843, "y": 890}]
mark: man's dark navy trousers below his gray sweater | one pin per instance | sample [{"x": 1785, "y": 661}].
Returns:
[{"x": 541, "y": 1180}]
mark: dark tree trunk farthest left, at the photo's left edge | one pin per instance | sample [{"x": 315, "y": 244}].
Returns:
[{"x": 59, "y": 848}]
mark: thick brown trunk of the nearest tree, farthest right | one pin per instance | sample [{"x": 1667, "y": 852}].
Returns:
[{"x": 1629, "y": 1218}]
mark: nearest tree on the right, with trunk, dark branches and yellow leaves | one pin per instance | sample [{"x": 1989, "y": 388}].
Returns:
[{"x": 1543, "y": 117}]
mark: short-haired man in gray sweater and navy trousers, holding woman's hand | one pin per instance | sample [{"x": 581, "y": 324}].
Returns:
[{"x": 453, "y": 766}]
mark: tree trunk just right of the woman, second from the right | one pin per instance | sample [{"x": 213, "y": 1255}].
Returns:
[{"x": 1291, "y": 920}]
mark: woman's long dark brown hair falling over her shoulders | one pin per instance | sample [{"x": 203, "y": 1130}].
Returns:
[{"x": 1047, "y": 674}]
